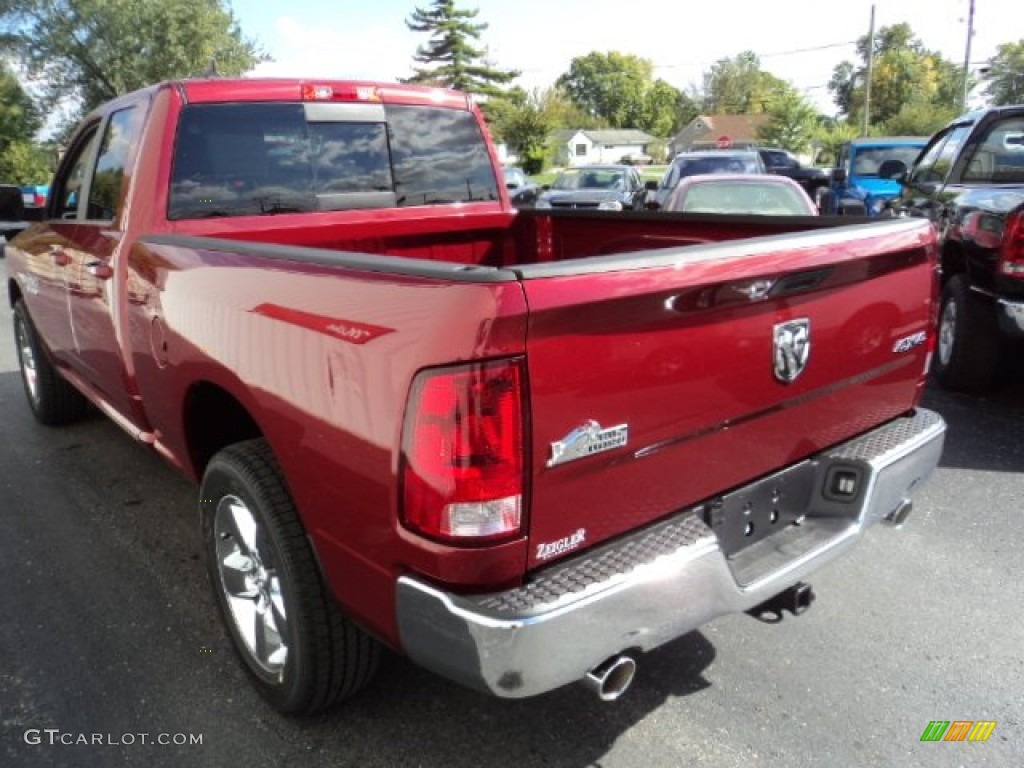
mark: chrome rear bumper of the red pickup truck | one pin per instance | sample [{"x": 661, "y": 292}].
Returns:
[{"x": 660, "y": 583}]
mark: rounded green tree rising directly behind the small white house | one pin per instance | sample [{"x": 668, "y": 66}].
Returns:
[{"x": 620, "y": 90}]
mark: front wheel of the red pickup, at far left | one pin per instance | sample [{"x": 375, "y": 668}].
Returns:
[{"x": 53, "y": 400}]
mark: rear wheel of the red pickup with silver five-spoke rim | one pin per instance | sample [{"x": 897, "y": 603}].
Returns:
[{"x": 326, "y": 657}]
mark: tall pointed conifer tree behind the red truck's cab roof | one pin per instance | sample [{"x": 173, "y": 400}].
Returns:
[{"x": 450, "y": 59}]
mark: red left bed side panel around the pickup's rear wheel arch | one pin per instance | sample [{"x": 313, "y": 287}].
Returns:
[{"x": 322, "y": 358}]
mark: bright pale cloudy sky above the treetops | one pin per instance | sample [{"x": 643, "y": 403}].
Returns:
[{"x": 797, "y": 40}]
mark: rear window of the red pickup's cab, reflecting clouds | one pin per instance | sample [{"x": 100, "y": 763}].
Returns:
[{"x": 246, "y": 159}]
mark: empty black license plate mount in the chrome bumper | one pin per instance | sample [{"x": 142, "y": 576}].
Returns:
[{"x": 747, "y": 516}]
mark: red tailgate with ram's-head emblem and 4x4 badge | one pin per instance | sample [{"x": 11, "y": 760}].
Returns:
[{"x": 663, "y": 379}]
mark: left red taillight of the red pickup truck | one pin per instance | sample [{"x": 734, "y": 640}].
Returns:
[{"x": 462, "y": 453}]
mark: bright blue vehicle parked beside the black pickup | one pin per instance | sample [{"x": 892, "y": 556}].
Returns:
[{"x": 866, "y": 178}]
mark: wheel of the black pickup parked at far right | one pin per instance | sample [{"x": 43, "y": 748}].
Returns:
[{"x": 968, "y": 350}]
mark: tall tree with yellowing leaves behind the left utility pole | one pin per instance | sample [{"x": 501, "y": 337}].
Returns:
[{"x": 904, "y": 71}]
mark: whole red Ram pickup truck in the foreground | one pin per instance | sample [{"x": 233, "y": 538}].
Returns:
[{"x": 520, "y": 447}]
